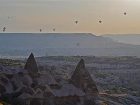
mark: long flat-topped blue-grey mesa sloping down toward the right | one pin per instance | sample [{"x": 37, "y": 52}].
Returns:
[{"x": 63, "y": 44}]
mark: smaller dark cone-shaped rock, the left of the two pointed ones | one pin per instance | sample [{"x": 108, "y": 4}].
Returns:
[{"x": 31, "y": 65}]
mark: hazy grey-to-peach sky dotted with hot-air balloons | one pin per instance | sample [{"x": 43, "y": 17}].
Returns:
[{"x": 31, "y": 15}]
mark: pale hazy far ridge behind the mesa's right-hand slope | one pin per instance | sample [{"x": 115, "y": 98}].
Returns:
[{"x": 125, "y": 38}]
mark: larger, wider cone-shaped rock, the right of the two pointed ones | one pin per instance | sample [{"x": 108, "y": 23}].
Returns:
[{"x": 81, "y": 78}]
